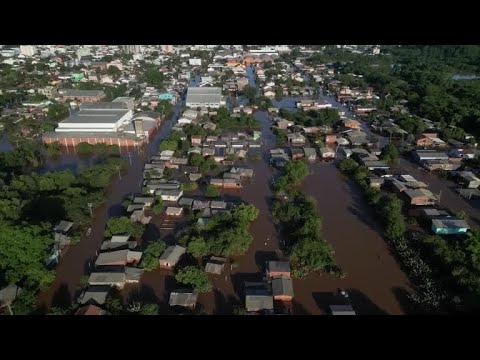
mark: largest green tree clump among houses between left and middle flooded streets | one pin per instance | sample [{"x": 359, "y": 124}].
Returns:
[{"x": 226, "y": 234}]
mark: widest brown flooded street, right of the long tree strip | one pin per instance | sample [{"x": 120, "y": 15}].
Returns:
[{"x": 374, "y": 279}]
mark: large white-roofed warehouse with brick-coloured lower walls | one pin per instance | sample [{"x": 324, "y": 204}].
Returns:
[{"x": 108, "y": 122}]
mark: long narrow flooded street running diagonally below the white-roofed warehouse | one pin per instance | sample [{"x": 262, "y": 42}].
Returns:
[{"x": 78, "y": 259}]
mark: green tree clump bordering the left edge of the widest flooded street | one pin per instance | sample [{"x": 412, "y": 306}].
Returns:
[{"x": 305, "y": 246}]
